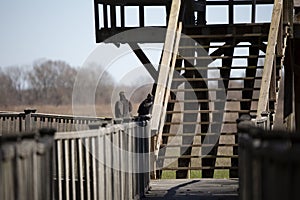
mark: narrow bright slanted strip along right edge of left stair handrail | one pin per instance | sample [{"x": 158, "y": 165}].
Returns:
[{"x": 168, "y": 88}]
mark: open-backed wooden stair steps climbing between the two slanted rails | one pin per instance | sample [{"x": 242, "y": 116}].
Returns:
[{"x": 217, "y": 78}]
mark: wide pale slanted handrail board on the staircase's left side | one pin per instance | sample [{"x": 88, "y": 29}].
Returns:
[{"x": 164, "y": 67}]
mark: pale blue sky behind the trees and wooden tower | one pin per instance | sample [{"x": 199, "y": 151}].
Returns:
[{"x": 64, "y": 30}]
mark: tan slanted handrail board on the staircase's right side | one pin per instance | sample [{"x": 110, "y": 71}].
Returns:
[{"x": 270, "y": 54}]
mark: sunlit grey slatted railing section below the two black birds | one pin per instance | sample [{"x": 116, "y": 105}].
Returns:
[{"x": 107, "y": 163}]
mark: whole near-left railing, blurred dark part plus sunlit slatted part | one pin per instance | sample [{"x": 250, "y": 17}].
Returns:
[{"x": 111, "y": 162}]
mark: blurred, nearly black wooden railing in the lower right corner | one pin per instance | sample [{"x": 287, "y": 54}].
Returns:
[{"x": 265, "y": 157}]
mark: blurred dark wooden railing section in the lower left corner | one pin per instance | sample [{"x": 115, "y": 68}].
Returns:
[{"x": 26, "y": 166}]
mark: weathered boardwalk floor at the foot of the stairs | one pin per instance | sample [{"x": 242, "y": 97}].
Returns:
[{"x": 179, "y": 189}]
